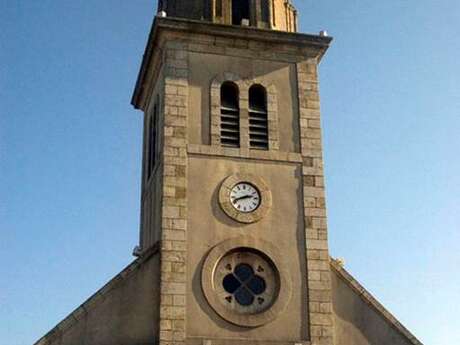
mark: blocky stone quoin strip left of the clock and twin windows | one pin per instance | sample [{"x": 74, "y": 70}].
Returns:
[{"x": 174, "y": 197}]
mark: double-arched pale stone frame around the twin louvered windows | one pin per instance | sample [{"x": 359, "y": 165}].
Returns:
[{"x": 244, "y": 85}]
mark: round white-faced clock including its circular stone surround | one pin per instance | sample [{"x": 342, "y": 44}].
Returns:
[{"x": 245, "y": 198}]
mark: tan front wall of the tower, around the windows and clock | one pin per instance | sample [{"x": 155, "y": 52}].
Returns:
[{"x": 192, "y": 62}]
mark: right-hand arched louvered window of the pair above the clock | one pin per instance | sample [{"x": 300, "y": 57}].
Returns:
[{"x": 258, "y": 118}]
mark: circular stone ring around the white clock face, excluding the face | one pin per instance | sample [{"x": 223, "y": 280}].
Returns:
[{"x": 245, "y": 217}]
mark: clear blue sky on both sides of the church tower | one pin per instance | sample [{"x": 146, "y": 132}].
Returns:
[{"x": 70, "y": 153}]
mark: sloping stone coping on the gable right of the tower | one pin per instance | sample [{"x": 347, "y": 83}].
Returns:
[{"x": 366, "y": 295}]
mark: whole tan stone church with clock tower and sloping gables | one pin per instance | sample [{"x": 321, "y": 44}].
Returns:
[{"x": 233, "y": 237}]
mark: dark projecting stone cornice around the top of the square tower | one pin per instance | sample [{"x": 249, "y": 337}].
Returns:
[{"x": 319, "y": 43}]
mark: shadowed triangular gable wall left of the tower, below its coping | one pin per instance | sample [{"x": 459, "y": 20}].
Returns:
[{"x": 127, "y": 314}]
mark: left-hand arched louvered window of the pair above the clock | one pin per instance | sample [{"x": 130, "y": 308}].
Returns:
[{"x": 229, "y": 115}]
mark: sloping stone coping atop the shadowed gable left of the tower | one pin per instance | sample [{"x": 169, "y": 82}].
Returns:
[{"x": 83, "y": 309}]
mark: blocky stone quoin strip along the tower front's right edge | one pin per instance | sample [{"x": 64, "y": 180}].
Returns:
[{"x": 318, "y": 267}]
